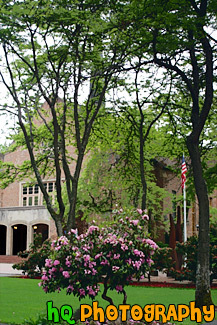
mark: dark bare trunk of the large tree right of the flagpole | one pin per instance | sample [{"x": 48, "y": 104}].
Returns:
[{"x": 202, "y": 294}]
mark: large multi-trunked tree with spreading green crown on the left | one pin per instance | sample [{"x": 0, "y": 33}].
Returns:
[{"x": 56, "y": 49}]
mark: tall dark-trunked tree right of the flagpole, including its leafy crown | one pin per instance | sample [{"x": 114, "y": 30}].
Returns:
[{"x": 181, "y": 42}]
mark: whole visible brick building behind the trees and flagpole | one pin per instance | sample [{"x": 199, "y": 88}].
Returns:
[{"x": 22, "y": 212}]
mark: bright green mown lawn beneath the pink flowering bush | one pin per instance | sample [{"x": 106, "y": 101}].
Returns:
[{"x": 22, "y": 299}]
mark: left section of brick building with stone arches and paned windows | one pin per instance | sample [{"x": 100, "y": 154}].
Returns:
[{"x": 22, "y": 212}]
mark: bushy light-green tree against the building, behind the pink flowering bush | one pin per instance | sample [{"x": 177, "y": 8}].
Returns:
[{"x": 111, "y": 174}]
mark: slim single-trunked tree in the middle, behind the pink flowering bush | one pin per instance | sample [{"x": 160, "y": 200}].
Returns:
[{"x": 141, "y": 113}]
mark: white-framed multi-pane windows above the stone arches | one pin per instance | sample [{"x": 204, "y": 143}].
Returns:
[{"x": 32, "y": 195}]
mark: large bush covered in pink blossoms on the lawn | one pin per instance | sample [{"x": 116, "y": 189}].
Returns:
[{"x": 111, "y": 255}]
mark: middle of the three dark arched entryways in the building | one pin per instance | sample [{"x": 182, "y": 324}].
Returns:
[{"x": 19, "y": 238}]
